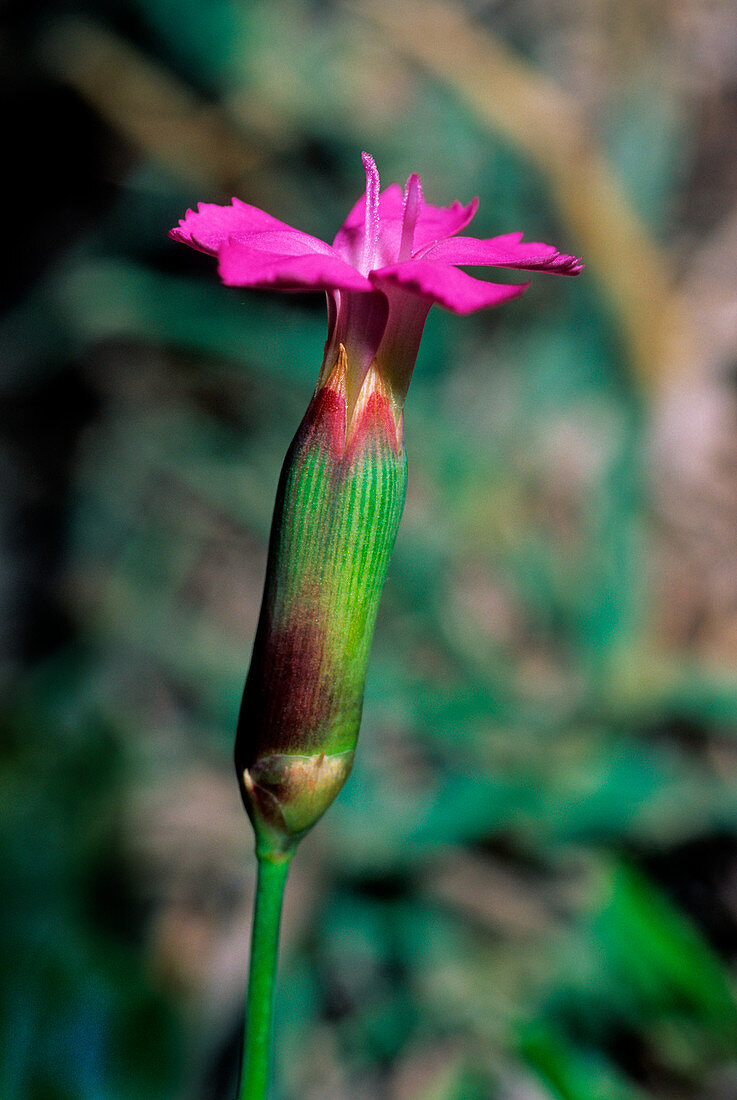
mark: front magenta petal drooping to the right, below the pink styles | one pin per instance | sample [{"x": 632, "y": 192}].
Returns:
[{"x": 446, "y": 287}]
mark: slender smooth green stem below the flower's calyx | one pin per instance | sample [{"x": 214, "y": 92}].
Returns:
[{"x": 260, "y": 1003}]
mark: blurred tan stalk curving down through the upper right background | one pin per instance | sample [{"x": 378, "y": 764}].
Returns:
[{"x": 512, "y": 98}]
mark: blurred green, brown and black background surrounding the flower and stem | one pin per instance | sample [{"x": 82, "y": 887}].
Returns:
[{"x": 529, "y": 889}]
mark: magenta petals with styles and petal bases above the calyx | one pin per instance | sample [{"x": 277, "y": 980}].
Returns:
[{"x": 394, "y": 257}]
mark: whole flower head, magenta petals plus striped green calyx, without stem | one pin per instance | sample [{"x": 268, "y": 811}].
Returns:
[{"x": 344, "y": 480}]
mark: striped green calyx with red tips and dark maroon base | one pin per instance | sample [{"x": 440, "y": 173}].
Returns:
[{"x": 336, "y": 520}]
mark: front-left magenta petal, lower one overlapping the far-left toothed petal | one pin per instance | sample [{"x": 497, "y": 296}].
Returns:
[{"x": 240, "y": 265}]
